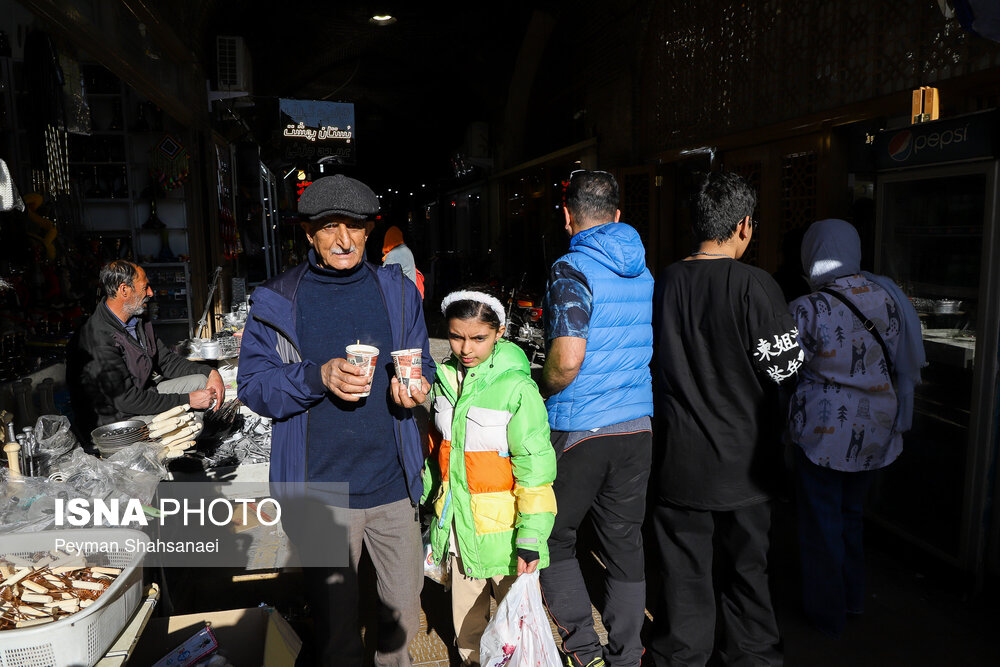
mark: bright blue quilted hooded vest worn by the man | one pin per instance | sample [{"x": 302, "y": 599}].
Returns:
[{"x": 614, "y": 383}]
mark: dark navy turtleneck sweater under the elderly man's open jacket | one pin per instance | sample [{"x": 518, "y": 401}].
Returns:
[{"x": 350, "y": 442}]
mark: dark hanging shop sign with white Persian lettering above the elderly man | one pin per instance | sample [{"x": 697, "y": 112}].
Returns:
[{"x": 313, "y": 129}]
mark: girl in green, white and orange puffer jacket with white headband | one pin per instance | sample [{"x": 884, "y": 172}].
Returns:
[{"x": 490, "y": 468}]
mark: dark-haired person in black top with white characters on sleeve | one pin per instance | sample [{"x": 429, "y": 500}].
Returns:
[{"x": 723, "y": 340}]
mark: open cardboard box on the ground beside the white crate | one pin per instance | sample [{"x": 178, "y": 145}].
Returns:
[{"x": 247, "y": 637}]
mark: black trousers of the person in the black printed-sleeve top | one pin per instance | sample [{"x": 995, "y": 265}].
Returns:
[{"x": 685, "y": 618}]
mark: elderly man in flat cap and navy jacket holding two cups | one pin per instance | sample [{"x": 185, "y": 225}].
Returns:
[{"x": 333, "y": 425}]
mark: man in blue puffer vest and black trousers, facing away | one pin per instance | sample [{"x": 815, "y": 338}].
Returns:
[{"x": 599, "y": 310}]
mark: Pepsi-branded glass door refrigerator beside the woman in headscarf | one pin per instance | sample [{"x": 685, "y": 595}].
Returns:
[{"x": 936, "y": 236}]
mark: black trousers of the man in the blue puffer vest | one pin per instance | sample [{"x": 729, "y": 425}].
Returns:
[{"x": 603, "y": 477}]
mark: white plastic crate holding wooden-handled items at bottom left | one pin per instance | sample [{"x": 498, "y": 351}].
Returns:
[{"x": 84, "y": 637}]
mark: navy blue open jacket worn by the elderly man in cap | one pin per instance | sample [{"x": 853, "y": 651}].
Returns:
[{"x": 273, "y": 379}]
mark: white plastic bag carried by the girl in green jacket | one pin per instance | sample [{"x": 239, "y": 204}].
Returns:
[{"x": 519, "y": 634}]
